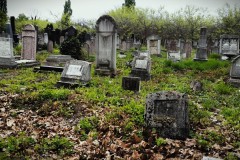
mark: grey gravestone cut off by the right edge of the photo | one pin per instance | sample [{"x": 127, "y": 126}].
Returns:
[{"x": 235, "y": 72}]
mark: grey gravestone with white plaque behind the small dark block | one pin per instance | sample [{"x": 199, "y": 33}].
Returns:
[{"x": 141, "y": 67}]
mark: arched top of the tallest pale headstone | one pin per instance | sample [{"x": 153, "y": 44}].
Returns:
[{"x": 106, "y": 24}]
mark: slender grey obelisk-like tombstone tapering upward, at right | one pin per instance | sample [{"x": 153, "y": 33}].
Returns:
[{"x": 201, "y": 54}]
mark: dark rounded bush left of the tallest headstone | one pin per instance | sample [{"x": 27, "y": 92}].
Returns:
[{"x": 72, "y": 47}]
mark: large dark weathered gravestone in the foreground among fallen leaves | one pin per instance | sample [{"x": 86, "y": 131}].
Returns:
[{"x": 167, "y": 111}]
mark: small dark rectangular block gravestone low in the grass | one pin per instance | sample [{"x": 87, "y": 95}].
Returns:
[{"x": 131, "y": 83}]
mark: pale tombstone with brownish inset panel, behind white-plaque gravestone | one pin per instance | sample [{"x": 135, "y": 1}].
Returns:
[{"x": 154, "y": 44}]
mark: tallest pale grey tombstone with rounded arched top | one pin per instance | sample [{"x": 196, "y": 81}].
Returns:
[{"x": 106, "y": 45}]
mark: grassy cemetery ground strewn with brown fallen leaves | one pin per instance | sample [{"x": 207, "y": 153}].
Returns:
[{"x": 39, "y": 121}]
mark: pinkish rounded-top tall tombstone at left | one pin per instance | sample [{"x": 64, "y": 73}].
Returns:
[{"x": 29, "y": 40}]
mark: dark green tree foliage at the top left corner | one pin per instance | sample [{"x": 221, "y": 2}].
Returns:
[{"x": 3, "y": 14}]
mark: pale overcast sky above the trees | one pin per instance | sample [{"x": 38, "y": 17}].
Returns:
[{"x": 92, "y": 9}]
